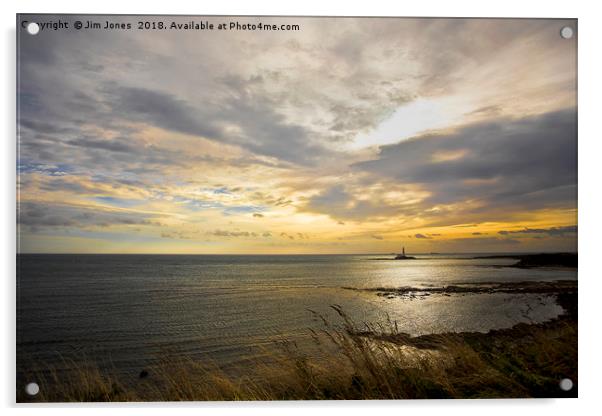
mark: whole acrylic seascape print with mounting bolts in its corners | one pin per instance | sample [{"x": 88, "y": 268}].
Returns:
[{"x": 295, "y": 208}]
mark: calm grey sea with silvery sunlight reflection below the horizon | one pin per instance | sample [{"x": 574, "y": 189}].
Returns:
[{"x": 129, "y": 309}]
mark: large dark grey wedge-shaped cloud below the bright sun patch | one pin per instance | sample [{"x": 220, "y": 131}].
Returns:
[{"x": 526, "y": 163}]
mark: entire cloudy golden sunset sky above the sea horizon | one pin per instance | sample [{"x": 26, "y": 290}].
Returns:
[{"x": 354, "y": 135}]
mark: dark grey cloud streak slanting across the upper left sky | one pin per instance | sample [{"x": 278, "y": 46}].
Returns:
[{"x": 259, "y": 127}]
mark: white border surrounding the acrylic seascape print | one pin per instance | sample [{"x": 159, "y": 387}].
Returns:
[{"x": 590, "y": 279}]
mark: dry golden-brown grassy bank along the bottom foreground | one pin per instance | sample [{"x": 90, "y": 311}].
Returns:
[{"x": 376, "y": 362}]
